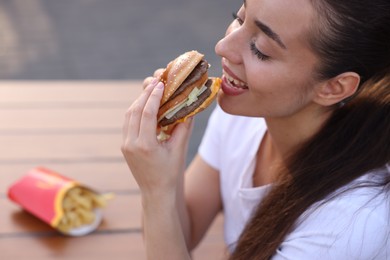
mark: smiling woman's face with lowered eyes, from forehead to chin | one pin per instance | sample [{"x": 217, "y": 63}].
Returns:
[{"x": 266, "y": 60}]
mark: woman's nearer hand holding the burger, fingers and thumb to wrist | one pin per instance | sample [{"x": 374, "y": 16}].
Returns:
[{"x": 156, "y": 166}]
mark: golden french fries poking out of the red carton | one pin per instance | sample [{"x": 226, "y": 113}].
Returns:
[{"x": 79, "y": 205}]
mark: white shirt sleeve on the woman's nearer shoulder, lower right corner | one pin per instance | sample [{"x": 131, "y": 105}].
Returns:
[{"x": 337, "y": 232}]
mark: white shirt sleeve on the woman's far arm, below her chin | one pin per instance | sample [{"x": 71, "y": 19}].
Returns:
[{"x": 210, "y": 143}]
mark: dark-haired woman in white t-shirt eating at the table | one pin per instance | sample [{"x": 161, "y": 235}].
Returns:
[{"x": 296, "y": 154}]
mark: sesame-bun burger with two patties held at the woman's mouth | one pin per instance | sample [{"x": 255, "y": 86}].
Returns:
[{"x": 188, "y": 91}]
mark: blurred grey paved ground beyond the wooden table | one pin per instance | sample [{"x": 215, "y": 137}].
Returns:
[{"x": 107, "y": 39}]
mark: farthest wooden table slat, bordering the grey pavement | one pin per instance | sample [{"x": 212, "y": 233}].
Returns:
[{"x": 52, "y": 92}]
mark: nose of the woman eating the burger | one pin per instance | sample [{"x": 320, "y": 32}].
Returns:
[{"x": 229, "y": 47}]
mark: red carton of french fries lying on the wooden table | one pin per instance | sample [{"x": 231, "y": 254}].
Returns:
[{"x": 63, "y": 203}]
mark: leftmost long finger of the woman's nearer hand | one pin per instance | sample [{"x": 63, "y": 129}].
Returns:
[{"x": 136, "y": 111}]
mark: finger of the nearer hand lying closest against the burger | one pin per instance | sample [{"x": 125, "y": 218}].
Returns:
[{"x": 149, "y": 114}]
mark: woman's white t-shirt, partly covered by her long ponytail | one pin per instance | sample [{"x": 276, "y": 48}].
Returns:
[{"x": 355, "y": 225}]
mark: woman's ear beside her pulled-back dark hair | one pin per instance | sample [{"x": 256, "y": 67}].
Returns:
[{"x": 336, "y": 89}]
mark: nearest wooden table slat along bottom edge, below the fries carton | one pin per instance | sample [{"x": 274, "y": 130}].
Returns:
[{"x": 100, "y": 246}]
